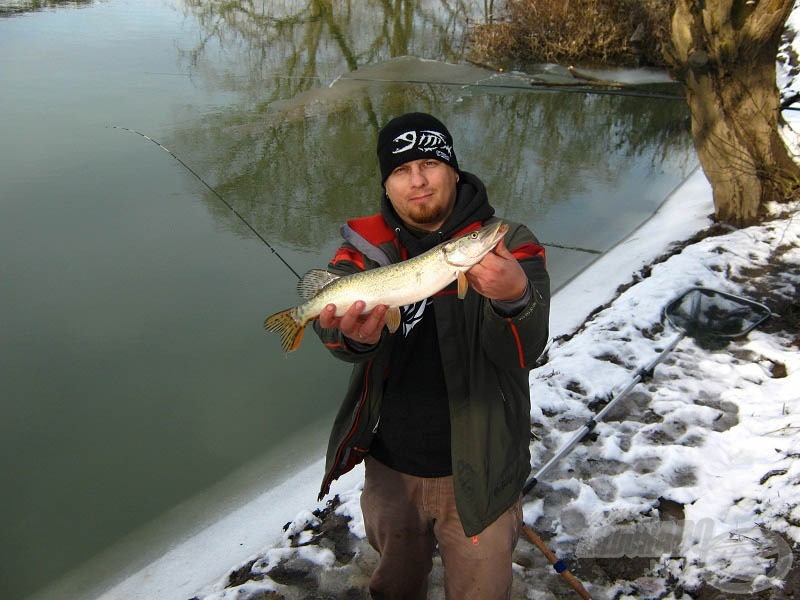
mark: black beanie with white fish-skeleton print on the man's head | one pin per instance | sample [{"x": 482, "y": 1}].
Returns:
[{"x": 413, "y": 136}]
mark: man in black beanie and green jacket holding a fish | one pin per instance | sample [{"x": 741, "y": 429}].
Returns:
[{"x": 440, "y": 409}]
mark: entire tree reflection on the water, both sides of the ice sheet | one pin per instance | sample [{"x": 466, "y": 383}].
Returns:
[{"x": 295, "y": 153}]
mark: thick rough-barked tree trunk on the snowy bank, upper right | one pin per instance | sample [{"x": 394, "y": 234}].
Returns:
[{"x": 724, "y": 53}]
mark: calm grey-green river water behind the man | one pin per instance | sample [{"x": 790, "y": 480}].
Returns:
[{"x": 135, "y": 372}]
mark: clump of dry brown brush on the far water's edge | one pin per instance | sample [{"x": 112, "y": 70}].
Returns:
[{"x": 622, "y": 32}]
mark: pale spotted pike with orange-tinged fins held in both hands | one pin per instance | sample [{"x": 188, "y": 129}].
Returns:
[{"x": 394, "y": 285}]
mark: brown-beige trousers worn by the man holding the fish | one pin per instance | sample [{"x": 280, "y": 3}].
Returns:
[{"x": 406, "y": 516}]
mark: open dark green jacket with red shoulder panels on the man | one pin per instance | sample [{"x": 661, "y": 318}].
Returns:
[{"x": 486, "y": 359}]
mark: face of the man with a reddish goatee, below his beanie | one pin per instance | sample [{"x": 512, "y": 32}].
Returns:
[{"x": 423, "y": 192}]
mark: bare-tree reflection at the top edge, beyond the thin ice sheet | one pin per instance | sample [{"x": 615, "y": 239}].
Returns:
[{"x": 302, "y": 43}]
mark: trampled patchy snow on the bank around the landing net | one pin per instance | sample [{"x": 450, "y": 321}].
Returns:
[{"x": 716, "y": 431}]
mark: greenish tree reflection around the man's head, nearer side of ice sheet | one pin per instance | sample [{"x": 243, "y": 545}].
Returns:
[{"x": 296, "y": 170}]
